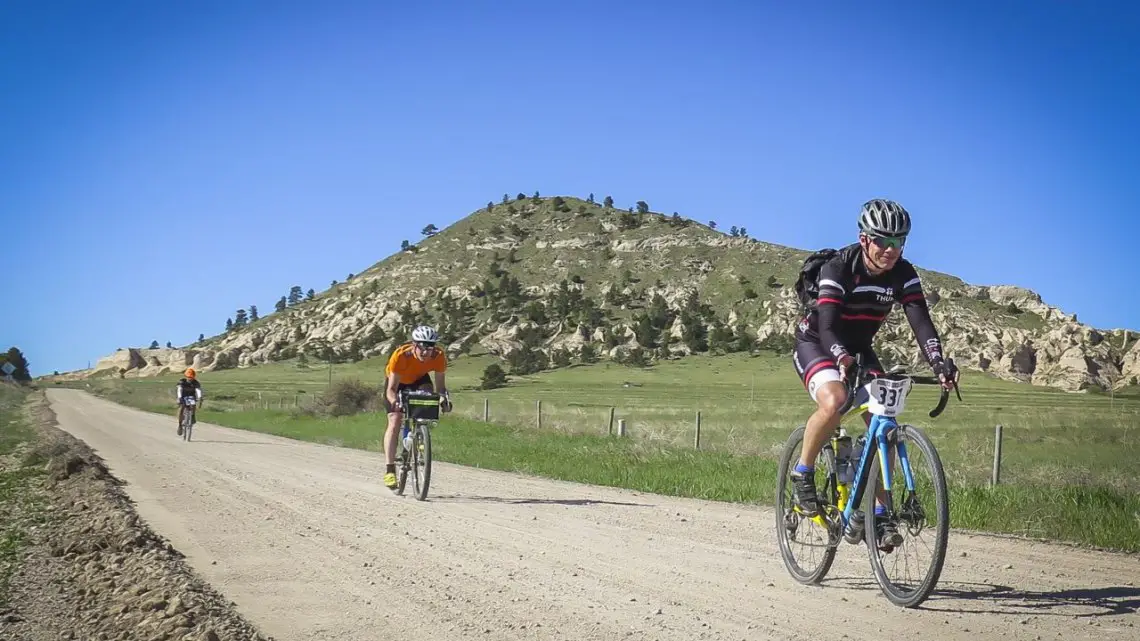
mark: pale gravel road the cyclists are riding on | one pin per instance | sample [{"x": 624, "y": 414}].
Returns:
[{"x": 311, "y": 546}]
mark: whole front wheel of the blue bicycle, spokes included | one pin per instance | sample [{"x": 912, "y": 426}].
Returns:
[{"x": 914, "y": 514}]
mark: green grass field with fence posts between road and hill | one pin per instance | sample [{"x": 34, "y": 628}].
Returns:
[{"x": 1068, "y": 466}]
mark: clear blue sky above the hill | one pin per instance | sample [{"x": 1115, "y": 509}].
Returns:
[{"x": 164, "y": 165}]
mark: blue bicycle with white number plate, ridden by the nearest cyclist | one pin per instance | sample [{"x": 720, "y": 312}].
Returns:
[{"x": 854, "y": 480}]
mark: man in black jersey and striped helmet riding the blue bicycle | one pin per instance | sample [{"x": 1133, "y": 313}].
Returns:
[{"x": 857, "y": 290}]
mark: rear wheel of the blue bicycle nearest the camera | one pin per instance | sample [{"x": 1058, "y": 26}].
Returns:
[{"x": 818, "y": 537}]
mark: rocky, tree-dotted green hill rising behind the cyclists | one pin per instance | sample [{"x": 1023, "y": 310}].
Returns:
[{"x": 543, "y": 283}]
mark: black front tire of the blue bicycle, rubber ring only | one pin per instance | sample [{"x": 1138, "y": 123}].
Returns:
[{"x": 911, "y": 599}]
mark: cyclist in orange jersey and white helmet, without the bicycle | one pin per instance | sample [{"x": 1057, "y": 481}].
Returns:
[{"x": 410, "y": 368}]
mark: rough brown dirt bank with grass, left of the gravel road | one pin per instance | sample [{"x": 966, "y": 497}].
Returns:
[{"x": 92, "y": 569}]
